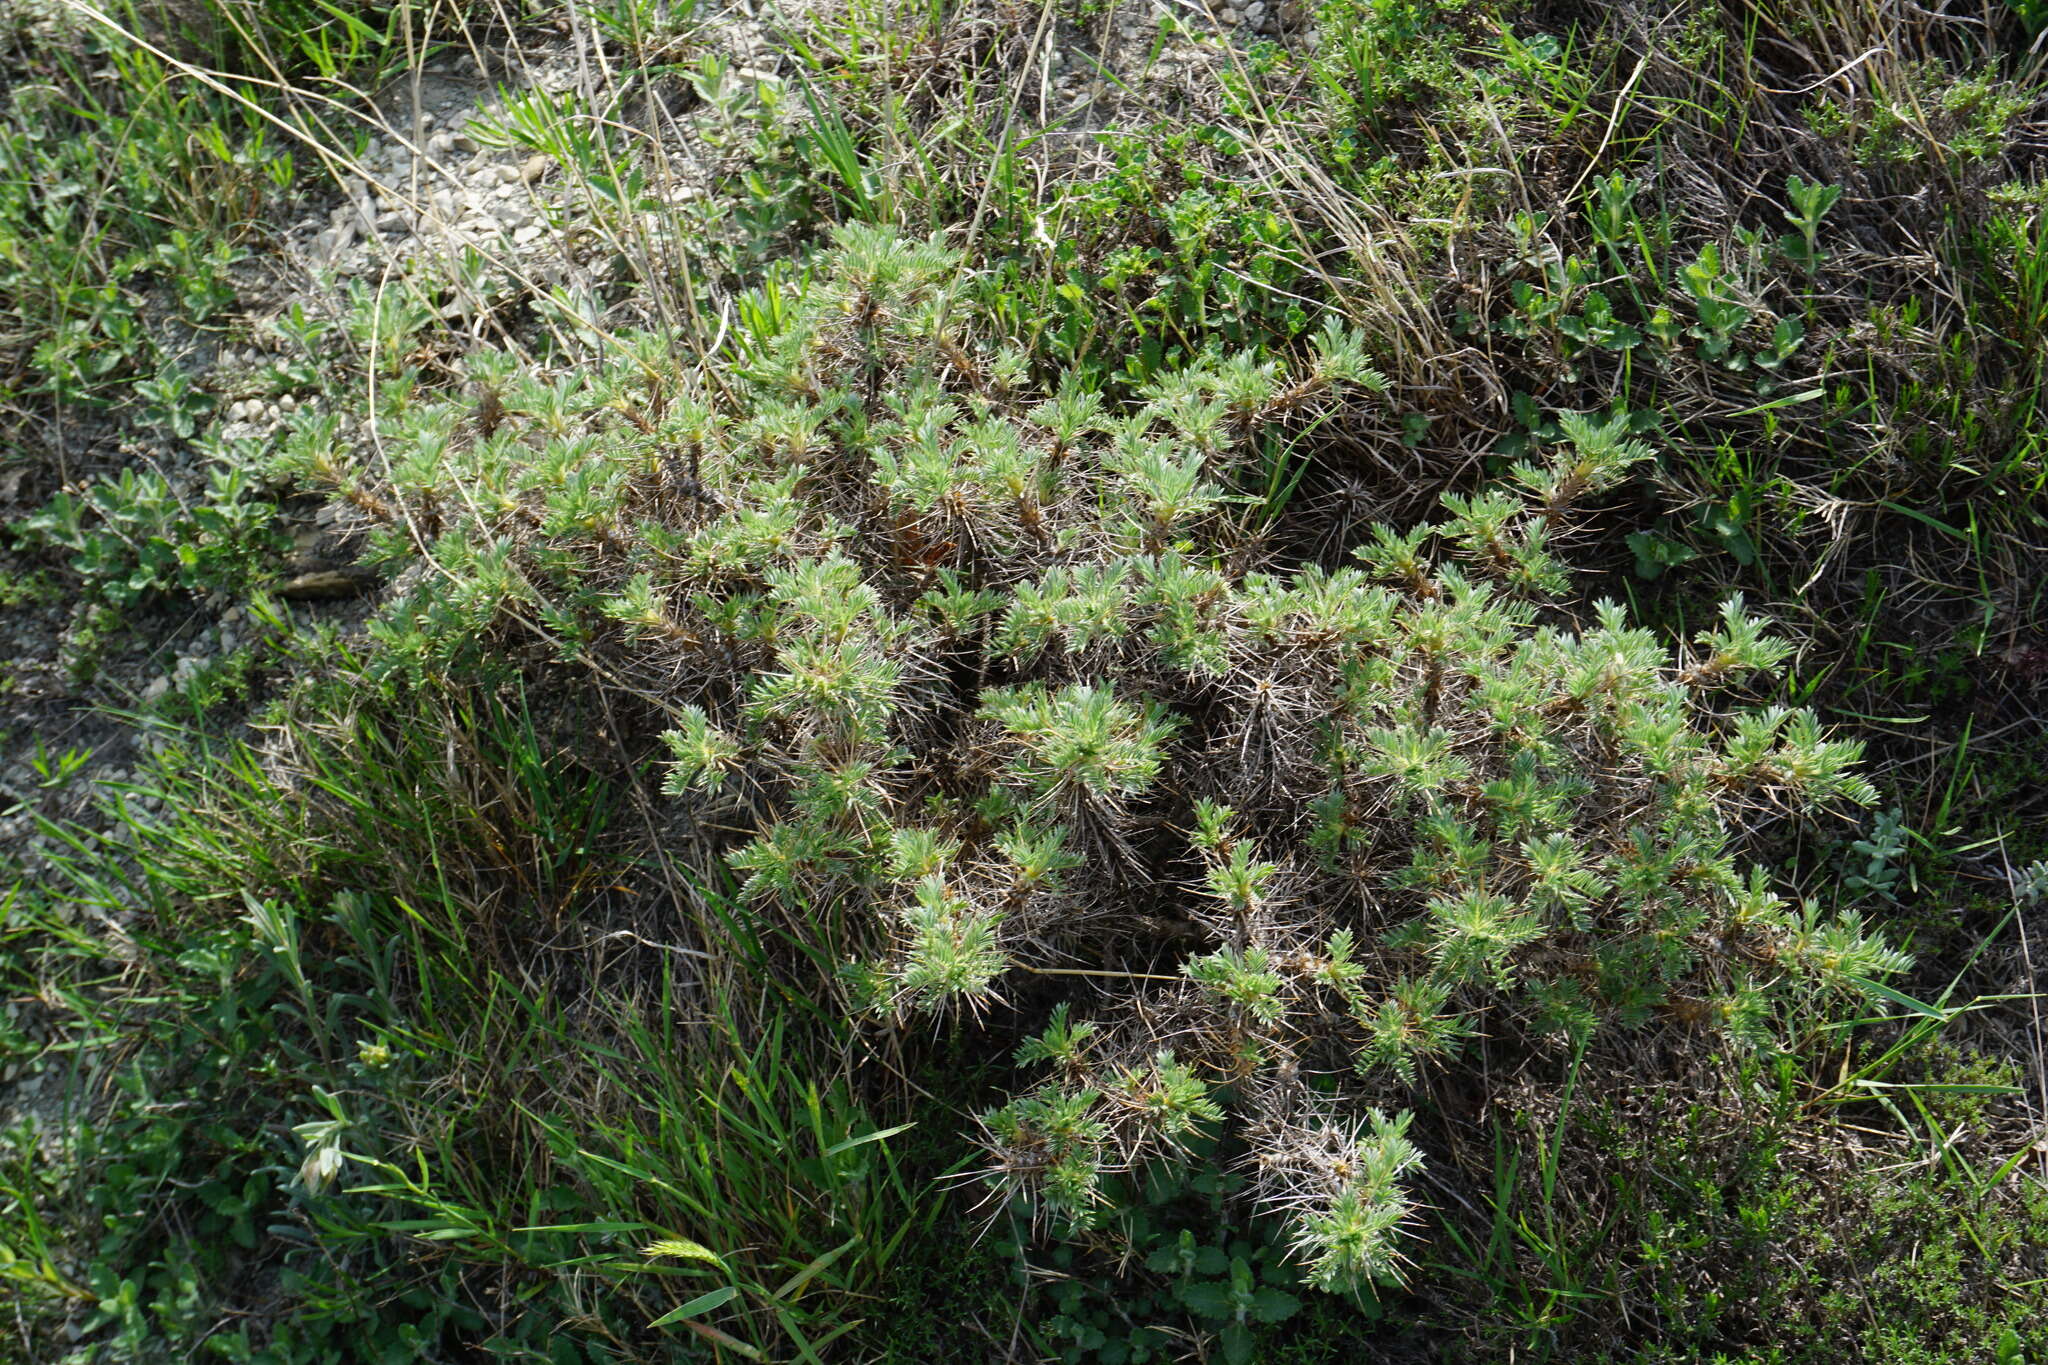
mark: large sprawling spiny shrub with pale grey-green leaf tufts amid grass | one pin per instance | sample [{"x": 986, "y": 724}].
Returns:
[{"x": 1013, "y": 680}]
